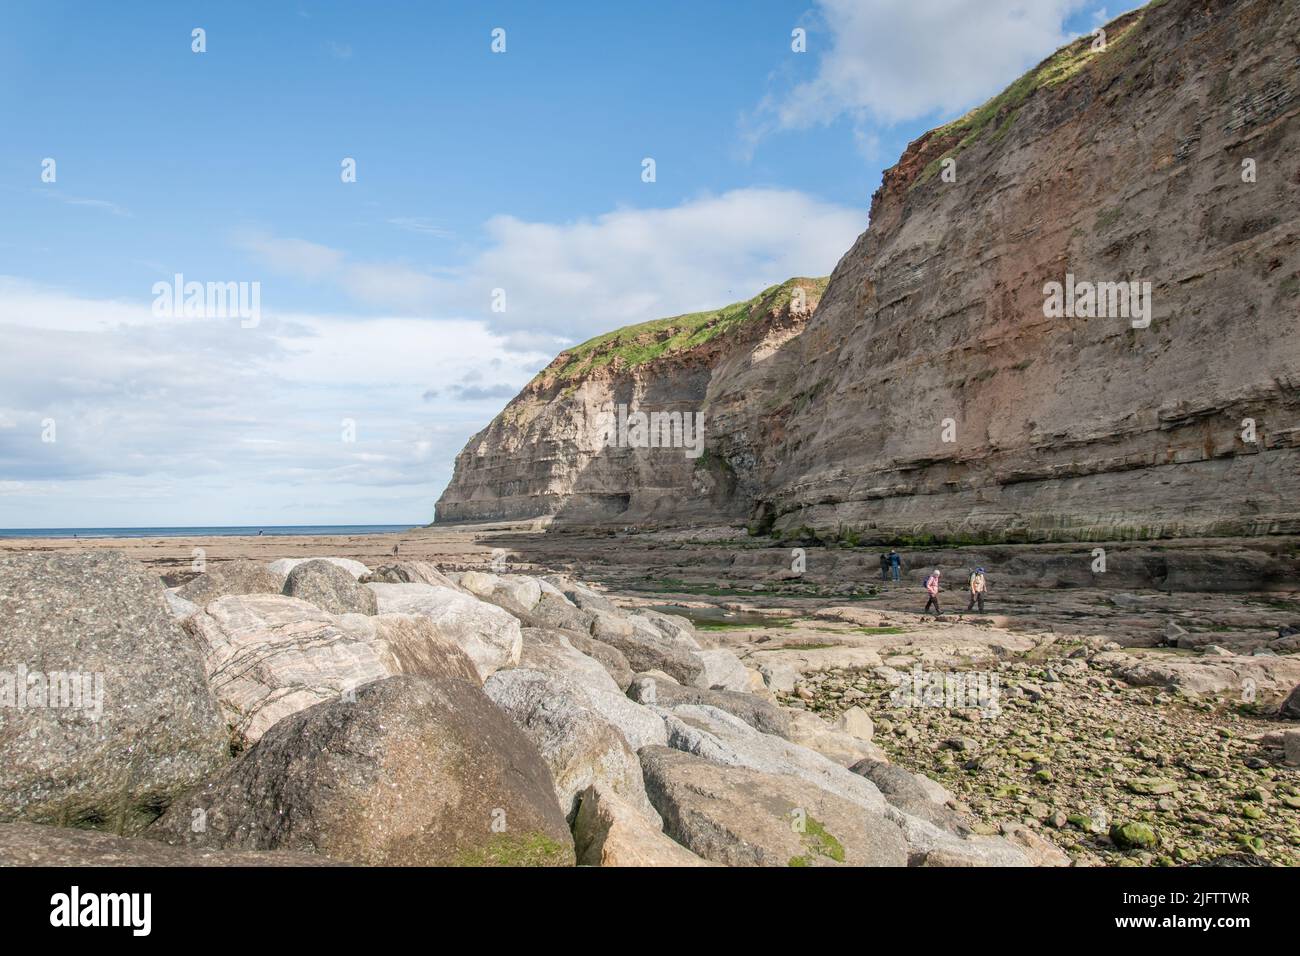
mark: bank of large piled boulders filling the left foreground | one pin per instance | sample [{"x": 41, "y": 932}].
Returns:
[{"x": 324, "y": 711}]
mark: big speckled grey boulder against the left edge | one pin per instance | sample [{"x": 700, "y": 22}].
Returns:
[{"x": 106, "y": 713}]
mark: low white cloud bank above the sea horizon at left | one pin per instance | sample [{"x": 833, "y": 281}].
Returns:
[{"x": 189, "y": 421}]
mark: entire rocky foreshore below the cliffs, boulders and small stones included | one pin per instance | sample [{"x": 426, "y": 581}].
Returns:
[{"x": 323, "y": 710}]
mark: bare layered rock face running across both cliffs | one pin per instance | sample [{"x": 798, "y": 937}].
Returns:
[{"x": 931, "y": 395}]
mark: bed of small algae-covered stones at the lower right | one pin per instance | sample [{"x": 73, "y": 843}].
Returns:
[{"x": 1112, "y": 773}]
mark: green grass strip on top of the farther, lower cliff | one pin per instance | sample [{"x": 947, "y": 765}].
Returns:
[{"x": 636, "y": 345}]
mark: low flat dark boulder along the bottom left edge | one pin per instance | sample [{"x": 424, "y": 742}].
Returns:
[{"x": 32, "y": 845}]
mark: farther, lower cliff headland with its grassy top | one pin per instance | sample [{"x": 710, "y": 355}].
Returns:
[{"x": 552, "y": 452}]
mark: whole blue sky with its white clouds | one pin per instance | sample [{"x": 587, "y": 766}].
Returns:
[{"x": 476, "y": 171}]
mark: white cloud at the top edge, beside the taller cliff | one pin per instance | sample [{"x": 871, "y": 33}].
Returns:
[{"x": 890, "y": 62}]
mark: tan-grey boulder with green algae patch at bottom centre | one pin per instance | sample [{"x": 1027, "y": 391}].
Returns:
[{"x": 749, "y": 819}]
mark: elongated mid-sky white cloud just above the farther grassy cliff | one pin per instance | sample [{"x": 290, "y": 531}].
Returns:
[{"x": 570, "y": 282}]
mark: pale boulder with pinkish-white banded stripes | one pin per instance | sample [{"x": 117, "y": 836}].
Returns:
[{"x": 270, "y": 656}]
